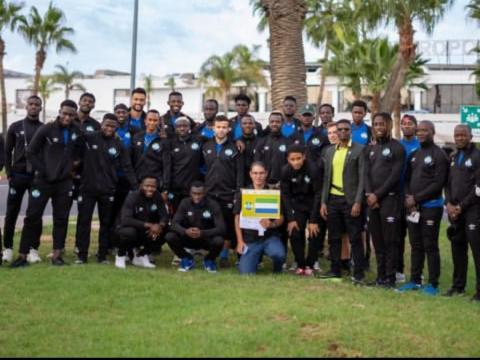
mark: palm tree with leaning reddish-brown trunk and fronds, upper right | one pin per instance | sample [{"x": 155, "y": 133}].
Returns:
[{"x": 403, "y": 13}]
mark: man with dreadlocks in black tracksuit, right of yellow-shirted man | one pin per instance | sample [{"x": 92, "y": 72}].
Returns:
[{"x": 383, "y": 170}]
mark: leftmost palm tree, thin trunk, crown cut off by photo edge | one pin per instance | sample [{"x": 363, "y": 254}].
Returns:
[{"x": 9, "y": 18}]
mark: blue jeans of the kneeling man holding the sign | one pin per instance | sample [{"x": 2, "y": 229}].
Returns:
[{"x": 272, "y": 247}]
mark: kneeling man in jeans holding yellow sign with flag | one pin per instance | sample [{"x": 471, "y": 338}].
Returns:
[{"x": 256, "y": 235}]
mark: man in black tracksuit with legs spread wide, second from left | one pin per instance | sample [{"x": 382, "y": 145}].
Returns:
[{"x": 53, "y": 152}]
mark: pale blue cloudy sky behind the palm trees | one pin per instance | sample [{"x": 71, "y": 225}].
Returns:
[{"x": 175, "y": 36}]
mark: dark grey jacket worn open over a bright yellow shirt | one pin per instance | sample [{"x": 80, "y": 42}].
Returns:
[{"x": 353, "y": 174}]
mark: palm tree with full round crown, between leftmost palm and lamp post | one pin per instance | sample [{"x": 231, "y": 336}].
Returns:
[{"x": 43, "y": 33}]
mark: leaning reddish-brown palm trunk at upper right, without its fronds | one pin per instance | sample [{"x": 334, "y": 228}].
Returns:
[{"x": 406, "y": 54}]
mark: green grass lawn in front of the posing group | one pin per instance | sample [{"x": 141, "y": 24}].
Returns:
[{"x": 97, "y": 310}]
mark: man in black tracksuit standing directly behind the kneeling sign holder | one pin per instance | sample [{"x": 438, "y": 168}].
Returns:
[{"x": 272, "y": 149}]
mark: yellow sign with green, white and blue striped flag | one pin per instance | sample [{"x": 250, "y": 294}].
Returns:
[{"x": 261, "y": 204}]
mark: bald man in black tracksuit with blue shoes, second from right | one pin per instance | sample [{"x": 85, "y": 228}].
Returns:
[{"x": 426, "y": 176}]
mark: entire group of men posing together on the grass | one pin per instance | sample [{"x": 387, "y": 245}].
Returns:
[{"x": 159, "y": 179}]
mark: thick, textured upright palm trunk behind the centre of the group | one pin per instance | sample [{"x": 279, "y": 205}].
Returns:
[{"x": 287, "y": 57}]
